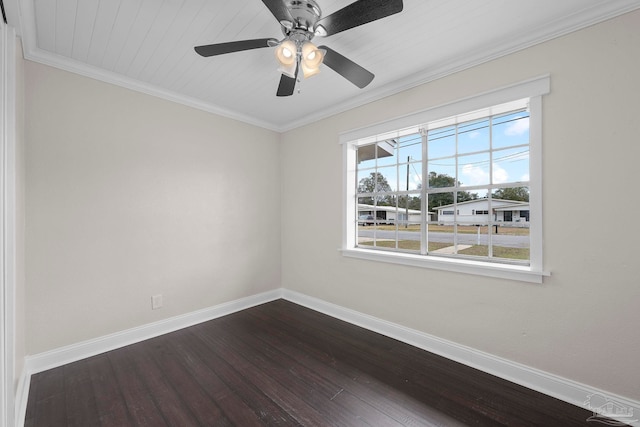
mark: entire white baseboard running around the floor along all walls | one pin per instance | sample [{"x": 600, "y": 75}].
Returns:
[{"x": 561, "y": 388}]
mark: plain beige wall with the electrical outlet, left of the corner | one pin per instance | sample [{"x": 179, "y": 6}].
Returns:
[{"x": 128, "y": 196}]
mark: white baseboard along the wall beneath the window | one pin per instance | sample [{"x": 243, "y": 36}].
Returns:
[{"x": 561, "y": 388}]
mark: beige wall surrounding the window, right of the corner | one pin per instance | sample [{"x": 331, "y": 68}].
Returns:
[{"x": 582, "y": 323}]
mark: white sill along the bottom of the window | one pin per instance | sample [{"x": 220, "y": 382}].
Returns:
[{"x": 503, "y": 271}]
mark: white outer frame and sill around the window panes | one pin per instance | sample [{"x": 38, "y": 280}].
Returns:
[{"x": 533, "y": 90}]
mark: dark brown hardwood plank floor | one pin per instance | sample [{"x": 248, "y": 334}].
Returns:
[{"x": 282, "y": 364}]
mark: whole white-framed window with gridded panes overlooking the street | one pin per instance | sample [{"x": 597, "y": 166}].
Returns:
[{"x": 457, "y": 189}]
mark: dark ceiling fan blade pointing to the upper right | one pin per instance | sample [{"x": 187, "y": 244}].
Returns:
[{"x": 357, "y": 13}]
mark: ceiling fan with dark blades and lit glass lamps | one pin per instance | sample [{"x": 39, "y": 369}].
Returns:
[{"x": 301, "y": 21}]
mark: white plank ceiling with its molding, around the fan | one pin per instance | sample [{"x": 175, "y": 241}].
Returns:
[{"x": 147, "y": 45}]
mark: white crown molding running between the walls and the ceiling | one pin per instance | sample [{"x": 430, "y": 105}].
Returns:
[{"x": 554, "y": 29}]
